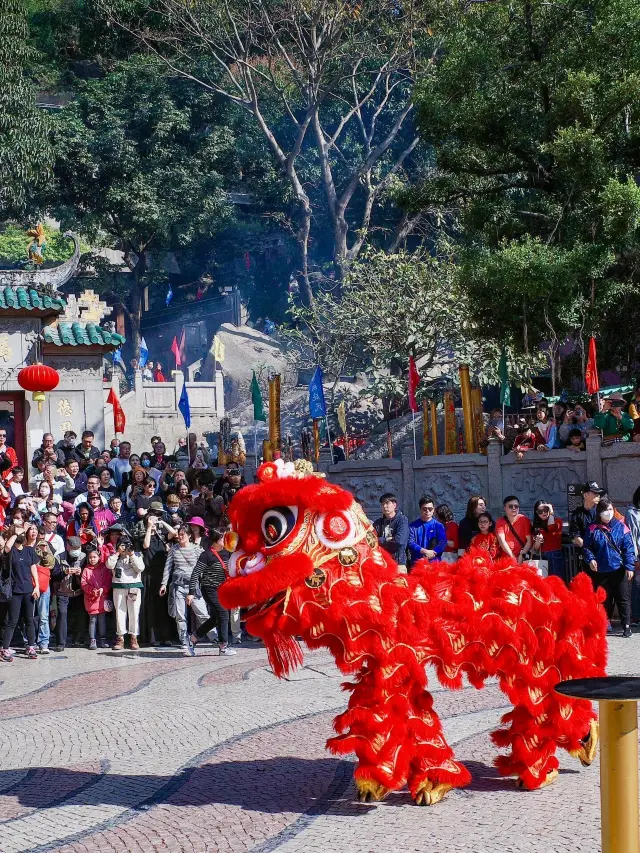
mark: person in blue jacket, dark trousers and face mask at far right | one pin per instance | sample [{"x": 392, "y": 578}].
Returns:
[{"x": 609, "y": 552}]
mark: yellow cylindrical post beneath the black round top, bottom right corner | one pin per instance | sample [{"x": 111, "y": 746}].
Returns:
[{"x": 619, "y": 776}]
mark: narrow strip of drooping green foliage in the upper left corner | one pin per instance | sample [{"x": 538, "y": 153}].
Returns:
[{"x": 25, "y": 155}]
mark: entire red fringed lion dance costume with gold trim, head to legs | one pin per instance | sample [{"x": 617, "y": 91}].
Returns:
[{"x": 307, "y": 564}]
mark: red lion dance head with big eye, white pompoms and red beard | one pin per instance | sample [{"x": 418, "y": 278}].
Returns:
[{"x": 290, "y": 532}]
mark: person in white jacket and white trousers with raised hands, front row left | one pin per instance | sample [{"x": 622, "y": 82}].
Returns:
[{"x": 127, "y": 567}]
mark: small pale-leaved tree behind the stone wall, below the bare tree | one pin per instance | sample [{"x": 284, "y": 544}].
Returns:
[{"x": 393, "y": 306}]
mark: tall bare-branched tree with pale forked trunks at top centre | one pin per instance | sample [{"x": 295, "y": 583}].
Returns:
[{"x": 328, "y": 83}]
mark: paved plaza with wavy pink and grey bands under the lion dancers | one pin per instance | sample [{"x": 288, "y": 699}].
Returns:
[{"x": 145, "y": 752}]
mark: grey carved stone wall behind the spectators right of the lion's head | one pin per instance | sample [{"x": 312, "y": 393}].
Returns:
[{"x": 453, "y": 479}]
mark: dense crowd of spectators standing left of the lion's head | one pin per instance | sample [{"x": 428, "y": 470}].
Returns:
[{"x": 97, "y": 545}]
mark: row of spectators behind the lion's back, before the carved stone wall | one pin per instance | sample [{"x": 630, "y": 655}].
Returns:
[{"x": 605, "y": 543}]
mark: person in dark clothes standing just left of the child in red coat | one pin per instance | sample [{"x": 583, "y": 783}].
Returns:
[{"x": 66, "y": 576}]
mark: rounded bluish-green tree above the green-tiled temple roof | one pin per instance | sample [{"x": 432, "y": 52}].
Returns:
[{"x": 140, "y": 159}]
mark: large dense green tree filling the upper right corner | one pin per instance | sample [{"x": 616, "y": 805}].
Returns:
[{"x": 533, "y": 111}]
